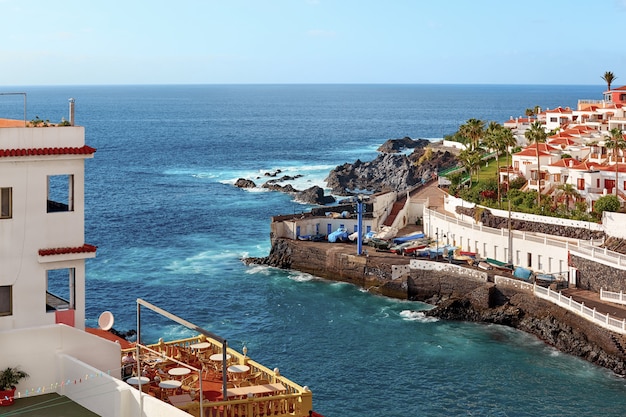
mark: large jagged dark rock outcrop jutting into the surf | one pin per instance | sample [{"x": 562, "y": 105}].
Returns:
[{"x": 388, "y": 172}]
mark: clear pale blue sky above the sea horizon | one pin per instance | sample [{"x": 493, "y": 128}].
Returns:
[{"x": 65, "y": 42}]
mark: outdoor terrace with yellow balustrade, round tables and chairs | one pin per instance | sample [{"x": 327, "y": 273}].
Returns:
[{"x": 191, "y": 374}]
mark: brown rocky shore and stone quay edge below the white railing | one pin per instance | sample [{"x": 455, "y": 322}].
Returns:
[{"x": 455, "y": 297}]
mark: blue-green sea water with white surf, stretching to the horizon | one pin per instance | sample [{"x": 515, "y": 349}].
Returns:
[{"x": 171, "y": 228}]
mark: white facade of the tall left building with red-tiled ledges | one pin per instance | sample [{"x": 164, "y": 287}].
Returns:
[{"x": 31, "y": 228}]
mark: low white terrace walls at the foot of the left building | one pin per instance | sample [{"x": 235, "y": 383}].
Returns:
[{"x": 78, "y": 365}]
